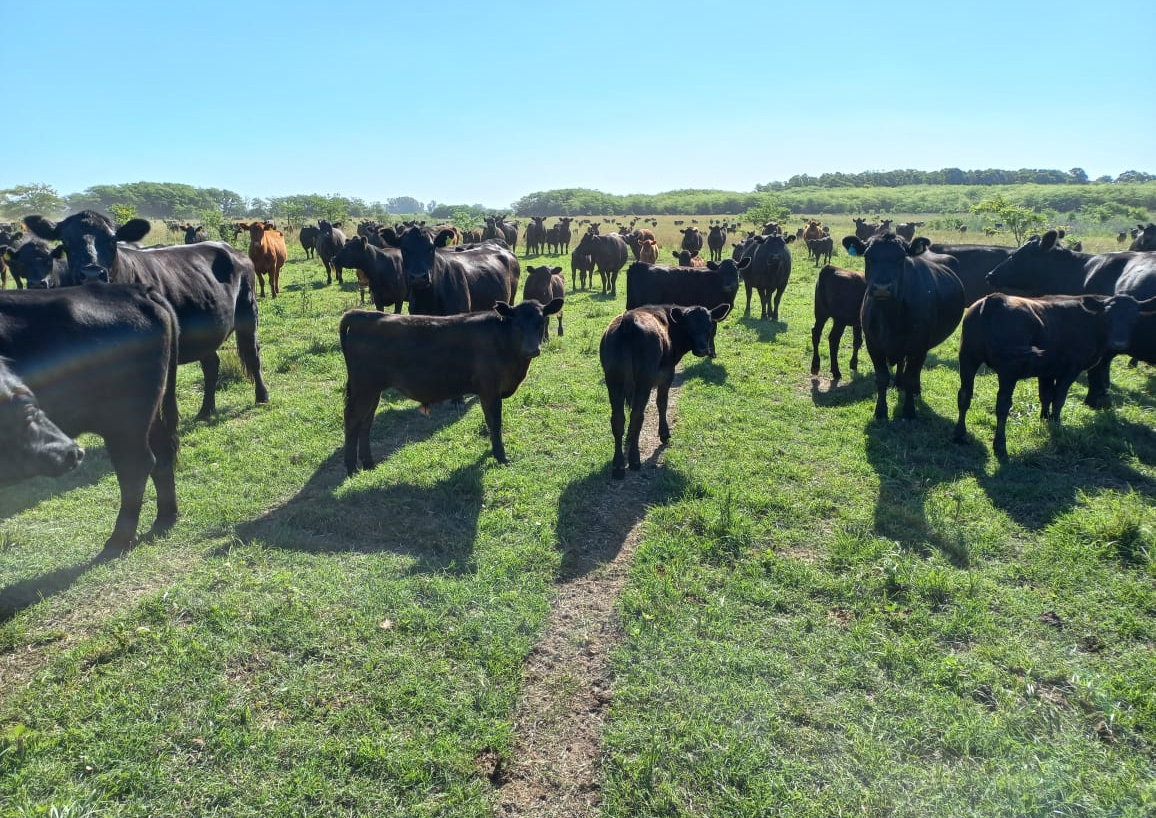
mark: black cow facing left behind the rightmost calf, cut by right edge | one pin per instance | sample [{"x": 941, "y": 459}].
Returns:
[{"x": 1043, "y": 267}]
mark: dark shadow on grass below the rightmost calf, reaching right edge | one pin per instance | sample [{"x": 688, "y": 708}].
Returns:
[{"x": 1038, "y": 487}]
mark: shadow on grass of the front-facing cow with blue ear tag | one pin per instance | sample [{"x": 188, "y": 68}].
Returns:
[{"x": 912, "y": 459}]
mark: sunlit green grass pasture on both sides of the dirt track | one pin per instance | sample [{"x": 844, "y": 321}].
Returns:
[{"x": 826, "y": 616}]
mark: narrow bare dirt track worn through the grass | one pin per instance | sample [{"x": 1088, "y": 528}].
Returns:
[{"x": 567, "y": 680}]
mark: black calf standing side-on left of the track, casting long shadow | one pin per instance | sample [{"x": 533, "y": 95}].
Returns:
[{"x": 433, "y": 359}]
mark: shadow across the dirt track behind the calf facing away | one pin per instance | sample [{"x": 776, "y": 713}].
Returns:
[{"x": 597, "y": 514}]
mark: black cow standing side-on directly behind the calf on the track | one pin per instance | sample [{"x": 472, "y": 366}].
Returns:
[{"x": 718, "y": 284}]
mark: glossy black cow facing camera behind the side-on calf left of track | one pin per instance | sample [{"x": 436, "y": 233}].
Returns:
[{"x": 443, "y": 281}]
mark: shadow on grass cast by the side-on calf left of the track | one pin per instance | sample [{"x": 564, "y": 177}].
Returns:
[{"x": 435, "y": 524}]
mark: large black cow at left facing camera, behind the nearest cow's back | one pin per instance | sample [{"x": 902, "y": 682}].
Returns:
[{"x": 210, "y": 285}]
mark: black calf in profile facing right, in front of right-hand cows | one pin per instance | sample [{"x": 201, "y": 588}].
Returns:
[{"x": 1053, "y": 339}]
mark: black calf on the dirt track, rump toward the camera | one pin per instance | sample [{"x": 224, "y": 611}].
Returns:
[{"x": 639, "y": 352}]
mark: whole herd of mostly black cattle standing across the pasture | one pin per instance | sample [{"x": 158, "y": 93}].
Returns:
[{"x": 94, "y": 345}]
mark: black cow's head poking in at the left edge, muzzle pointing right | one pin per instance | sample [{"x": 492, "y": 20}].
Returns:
[{"x": 32, "y": 445}]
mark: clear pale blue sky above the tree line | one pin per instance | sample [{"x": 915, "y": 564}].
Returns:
[{"x": 470, "y": 102}]
